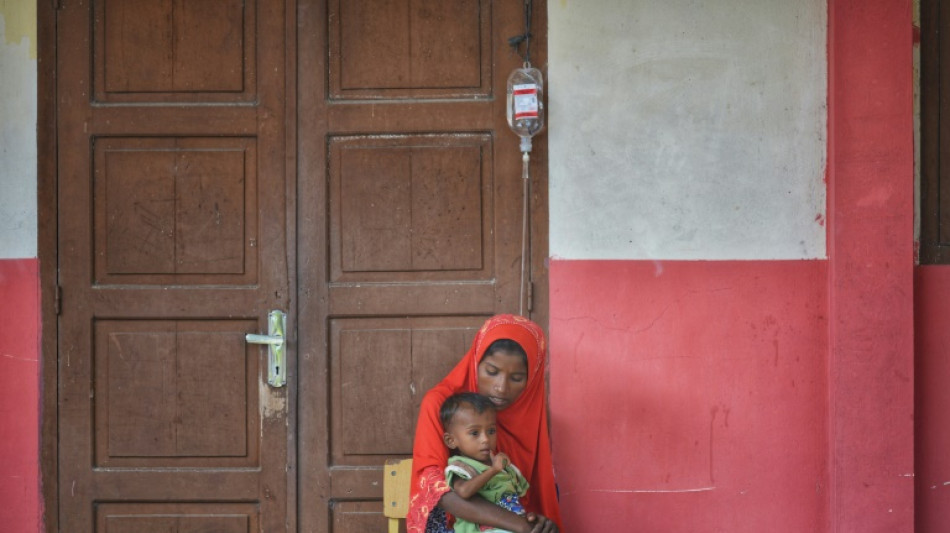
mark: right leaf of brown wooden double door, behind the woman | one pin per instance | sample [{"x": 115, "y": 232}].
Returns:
[{"x": 410, "y": 213}]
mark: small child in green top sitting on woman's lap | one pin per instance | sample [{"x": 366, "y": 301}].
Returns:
[{"x": 468, "y": 419}]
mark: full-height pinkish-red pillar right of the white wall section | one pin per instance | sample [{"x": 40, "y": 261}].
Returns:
[{"x": 870, "y": 248}]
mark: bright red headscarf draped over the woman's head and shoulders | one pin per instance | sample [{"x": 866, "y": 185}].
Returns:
[{"x": 522, "y": 427}]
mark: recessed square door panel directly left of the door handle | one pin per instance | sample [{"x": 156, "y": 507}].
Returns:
[{"x": 175, "y": 394}]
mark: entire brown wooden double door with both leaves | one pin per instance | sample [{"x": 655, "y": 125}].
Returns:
[{"x": 344, "y": 162}]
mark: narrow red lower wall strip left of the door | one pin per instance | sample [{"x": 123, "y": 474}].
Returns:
[{"x": 20, "y": 500}]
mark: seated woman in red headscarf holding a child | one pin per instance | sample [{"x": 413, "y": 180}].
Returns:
[{"x": 506, "y": 363}]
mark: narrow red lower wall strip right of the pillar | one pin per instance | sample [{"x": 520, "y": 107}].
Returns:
[{"x": 933, "y": 398}]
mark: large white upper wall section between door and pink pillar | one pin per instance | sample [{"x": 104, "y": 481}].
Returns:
[{"x": 687, "y": 129}]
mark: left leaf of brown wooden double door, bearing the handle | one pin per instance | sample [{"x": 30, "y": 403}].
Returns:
[{"x": 172, "y": 246}]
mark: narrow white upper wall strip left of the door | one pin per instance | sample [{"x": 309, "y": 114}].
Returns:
[{"x": 18, "y": 179}]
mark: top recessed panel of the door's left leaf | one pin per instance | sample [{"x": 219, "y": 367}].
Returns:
[{"x": 175, "y": 50}]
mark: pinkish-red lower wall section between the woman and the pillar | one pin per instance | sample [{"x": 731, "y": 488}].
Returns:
[{"x": 690, "y": 396}]
